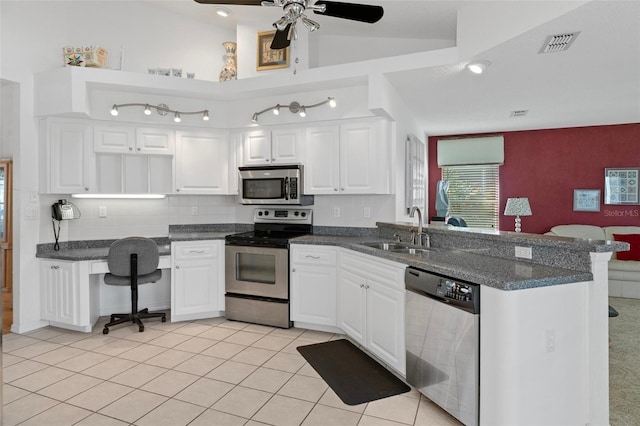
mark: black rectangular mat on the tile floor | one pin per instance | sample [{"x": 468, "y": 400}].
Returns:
[{"x": 353, "y": 375}]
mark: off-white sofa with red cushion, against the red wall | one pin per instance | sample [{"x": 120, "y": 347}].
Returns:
[{"x": 624, "y": 275}]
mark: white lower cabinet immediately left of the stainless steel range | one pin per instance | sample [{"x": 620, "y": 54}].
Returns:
[{"x": 197, "y": 280}]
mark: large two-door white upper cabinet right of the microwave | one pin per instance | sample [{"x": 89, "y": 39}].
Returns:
[{"x": 349, "y": 158}]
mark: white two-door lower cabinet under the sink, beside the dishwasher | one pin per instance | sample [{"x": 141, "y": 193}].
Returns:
[{"x": 371, "y": 305}]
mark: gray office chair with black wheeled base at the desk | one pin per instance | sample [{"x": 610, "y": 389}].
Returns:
[{"x": 133, "y": 261}]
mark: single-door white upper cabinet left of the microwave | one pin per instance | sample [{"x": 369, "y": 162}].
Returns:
[{"x": 203, "y": 163}]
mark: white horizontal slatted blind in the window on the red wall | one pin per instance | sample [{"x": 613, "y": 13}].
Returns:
[{"x": 474, "y": 194}]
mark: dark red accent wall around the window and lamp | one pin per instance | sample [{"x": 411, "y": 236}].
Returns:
[{"x": 547, "y": 165}]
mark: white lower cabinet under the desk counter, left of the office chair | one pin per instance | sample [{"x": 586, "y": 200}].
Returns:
[{"x": 64, "y": 292}]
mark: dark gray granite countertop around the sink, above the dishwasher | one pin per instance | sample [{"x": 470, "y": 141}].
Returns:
[{"x": 503, "y": 274}]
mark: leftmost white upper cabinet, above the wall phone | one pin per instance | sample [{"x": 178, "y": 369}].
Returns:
[{"x": 66, "y": 157}]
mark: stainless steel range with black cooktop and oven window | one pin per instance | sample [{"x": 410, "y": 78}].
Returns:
[{"x": 257, "y": 266}]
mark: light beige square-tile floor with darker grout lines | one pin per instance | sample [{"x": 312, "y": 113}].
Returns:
[{"x": 206, "y": 372}]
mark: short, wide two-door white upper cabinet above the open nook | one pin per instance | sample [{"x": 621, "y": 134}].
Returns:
[{"x": 126, "y": 139}]
